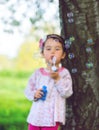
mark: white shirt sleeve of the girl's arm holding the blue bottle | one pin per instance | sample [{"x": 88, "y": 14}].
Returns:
[{"x": 31, "y": 88}]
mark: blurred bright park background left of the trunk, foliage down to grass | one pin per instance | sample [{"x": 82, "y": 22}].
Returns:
[{"x": 22, "y": 24}]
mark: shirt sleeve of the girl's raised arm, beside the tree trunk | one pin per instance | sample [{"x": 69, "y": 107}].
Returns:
[{"x": 64, "y": 85}]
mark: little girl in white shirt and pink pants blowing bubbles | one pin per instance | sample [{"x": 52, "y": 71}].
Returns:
[{"x": 48, "y": 109}]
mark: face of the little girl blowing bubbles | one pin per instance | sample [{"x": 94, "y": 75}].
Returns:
[{"x": 53, "y": 48}]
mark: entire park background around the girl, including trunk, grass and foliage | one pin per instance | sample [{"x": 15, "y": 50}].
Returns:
[{"x": 22, "y": 24}]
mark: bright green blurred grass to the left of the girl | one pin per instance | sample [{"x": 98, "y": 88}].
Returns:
[{"x": 14, "y": 107}]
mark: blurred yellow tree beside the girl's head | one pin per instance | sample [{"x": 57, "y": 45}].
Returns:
[{"x": 29, "y": 57}]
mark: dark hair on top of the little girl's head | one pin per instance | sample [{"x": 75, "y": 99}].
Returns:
[{"x": 58, "y": 38}]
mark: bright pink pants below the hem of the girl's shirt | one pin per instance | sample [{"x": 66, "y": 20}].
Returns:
[{"x": 31, "y": 127}]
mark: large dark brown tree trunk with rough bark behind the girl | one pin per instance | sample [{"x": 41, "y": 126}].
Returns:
[{"x": 79, "y": 21}]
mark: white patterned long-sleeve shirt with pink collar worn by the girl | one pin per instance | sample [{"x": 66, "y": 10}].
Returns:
[{"x": 53, "y": 109}]
